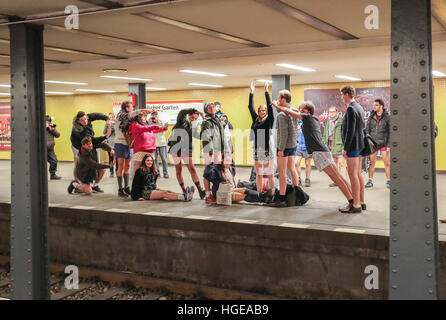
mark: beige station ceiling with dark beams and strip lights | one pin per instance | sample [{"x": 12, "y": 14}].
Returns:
[{"x": 243, "y": 39}]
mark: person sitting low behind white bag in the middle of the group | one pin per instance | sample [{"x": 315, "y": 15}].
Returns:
[{"x": 224, "y": 173}]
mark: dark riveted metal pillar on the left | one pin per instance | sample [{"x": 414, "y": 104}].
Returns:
[{"x": 29, "y": 186}]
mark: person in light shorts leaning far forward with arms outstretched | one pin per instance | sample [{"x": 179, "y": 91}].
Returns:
[{"x": 322, "y": 157}]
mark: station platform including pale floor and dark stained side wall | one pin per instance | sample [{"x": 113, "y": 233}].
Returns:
[{"x": 308, "y": 252}]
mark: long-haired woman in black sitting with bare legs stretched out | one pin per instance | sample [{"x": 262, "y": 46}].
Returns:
[{"x": 144, "y": 184}]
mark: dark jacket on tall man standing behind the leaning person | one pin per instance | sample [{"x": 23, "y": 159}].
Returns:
[{"x": 353, "y": 127}]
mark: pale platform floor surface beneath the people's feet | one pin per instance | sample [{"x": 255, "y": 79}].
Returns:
[{"x": 319, "y": 213}]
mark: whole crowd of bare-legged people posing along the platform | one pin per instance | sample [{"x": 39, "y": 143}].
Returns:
[{"x": 280, "y": 140}]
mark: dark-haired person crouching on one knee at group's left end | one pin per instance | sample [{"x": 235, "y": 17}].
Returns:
[{"x": 88, "y": 171}]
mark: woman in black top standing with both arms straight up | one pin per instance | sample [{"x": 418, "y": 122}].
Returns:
[{"x": 262, "y": 124}]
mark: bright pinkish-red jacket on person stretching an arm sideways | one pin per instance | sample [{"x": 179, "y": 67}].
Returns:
[{"x": 144, "y": 137}]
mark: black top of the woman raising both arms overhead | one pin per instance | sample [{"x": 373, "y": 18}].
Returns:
[{"x": 260, "y": 130}]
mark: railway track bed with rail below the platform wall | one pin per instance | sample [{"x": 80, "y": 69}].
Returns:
[{"x": 97, "y": 284}]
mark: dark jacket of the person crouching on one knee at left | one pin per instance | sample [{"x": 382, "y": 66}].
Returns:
[{"x": 87, "y": 166}]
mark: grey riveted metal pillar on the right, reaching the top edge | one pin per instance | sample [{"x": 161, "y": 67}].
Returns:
[{"x": 413, "y": 207}]
